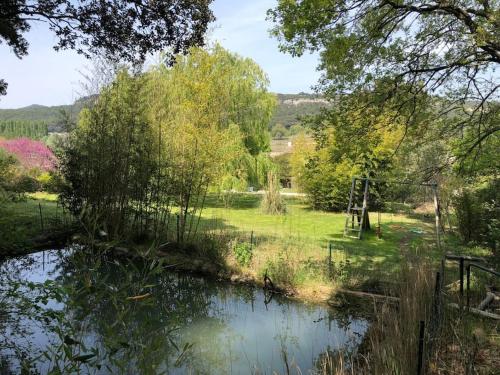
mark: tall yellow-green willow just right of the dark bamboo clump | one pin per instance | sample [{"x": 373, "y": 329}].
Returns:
[{"x": 212, "y": 111}]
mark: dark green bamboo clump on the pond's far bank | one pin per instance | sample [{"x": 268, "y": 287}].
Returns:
[{"x": 107, "y": 162}]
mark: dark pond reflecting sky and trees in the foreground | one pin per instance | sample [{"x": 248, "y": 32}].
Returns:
[{"x": 68, "y": 311}]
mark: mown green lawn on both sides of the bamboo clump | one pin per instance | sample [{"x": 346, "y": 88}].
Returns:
[{"x": 301, "y": 235}]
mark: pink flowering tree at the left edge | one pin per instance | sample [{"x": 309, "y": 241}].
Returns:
[{"x": 31, "y": 154}]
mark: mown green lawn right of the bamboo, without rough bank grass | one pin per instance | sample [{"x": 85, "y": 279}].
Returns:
[{"x": 311, "y": 231}]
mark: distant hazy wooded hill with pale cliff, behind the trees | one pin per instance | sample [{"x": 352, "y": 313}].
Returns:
[{"x": 290, "y": 107}]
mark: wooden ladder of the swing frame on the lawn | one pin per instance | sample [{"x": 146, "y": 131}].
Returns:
[{"x": 355, "y": 215}]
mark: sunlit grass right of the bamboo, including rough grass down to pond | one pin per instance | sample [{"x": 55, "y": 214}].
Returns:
[{"x": 298, "y": 243}]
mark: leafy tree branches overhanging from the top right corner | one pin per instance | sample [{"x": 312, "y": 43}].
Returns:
[{"x": 412, "y": 54}]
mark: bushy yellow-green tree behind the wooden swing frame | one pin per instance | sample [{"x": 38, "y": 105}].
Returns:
[{"x": 325, "y": 173}]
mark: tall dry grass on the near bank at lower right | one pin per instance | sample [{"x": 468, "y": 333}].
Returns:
[{"x": 455, "y": 342}]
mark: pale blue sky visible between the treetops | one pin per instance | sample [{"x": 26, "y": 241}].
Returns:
[{"x": 48, "y": 77}]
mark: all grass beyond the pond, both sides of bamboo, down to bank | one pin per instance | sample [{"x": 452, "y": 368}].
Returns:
[{"x": 292, "y": 248}]
